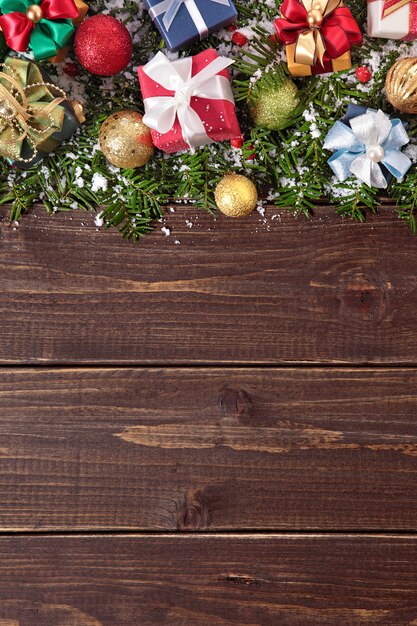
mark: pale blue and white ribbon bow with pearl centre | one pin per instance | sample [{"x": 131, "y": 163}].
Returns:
[{"x": 371, "y": 141}]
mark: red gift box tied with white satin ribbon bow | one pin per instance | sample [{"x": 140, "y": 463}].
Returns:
[{"x": 188, "y": 102}]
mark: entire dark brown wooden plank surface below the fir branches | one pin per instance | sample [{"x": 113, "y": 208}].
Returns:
[{"x": 216, "y": 427}]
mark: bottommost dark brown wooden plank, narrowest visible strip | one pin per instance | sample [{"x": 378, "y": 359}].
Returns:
[{"x": 202, "y": 580}]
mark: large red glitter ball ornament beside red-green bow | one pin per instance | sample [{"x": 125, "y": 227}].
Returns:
[{"x": 103, "y": 45}]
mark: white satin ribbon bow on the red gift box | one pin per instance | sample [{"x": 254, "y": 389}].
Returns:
[{"x": 162, "y": 111}]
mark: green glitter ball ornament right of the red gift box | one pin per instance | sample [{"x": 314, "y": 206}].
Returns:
[{"x": 273, "y": 100}]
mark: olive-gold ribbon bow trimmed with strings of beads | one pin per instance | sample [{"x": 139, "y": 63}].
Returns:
[{"x": 28, "y": 111}]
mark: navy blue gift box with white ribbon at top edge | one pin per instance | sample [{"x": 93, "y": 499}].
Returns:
[{"x": 182, "y": 22}]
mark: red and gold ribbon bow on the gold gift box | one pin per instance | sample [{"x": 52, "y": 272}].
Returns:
[{"x": 317, "y": 27}]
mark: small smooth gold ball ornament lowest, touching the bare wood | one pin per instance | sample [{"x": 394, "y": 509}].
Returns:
[{"x": 235, "y": 195}]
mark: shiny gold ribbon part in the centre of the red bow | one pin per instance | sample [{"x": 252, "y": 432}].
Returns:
[{"x": 310, "y": 45}]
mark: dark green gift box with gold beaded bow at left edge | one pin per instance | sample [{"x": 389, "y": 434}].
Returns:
[{"x": 35, "y": 116}]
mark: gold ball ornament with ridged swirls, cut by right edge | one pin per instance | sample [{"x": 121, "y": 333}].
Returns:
[{"x": 401, "y": 85}]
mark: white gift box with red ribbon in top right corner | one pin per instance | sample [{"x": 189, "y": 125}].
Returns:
[{"x": 392, "y": 19}]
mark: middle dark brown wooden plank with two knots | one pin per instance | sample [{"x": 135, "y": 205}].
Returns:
[{"x": 208, "y": 448}]
